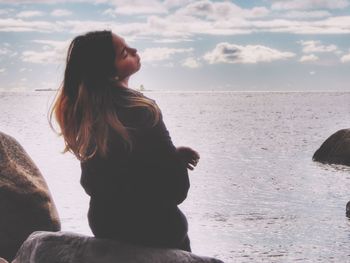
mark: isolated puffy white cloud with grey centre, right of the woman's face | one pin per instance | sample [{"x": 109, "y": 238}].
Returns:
[{"x": 250, "y": 54}]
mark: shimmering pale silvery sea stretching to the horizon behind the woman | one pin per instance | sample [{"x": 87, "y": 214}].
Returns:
[{"x": 255, "y": 196}]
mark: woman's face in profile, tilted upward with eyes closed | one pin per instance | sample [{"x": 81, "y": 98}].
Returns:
[{"x": 127, "y": 61}]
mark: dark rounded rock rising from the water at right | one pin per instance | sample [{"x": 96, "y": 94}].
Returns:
[{"x": 336, "y": 149}]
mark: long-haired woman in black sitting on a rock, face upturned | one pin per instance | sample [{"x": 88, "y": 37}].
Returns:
[{"x": 133, "y": 173}]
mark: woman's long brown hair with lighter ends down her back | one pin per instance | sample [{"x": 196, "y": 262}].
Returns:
[{"x": 85, "y": 107}]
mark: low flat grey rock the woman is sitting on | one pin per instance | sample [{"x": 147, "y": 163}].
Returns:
[{"x": 65, "y": 247}]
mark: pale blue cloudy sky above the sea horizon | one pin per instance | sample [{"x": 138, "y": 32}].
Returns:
[{"x": 186, "y": 45}]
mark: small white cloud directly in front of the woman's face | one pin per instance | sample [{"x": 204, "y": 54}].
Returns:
[{"x": 161, "y": 53}]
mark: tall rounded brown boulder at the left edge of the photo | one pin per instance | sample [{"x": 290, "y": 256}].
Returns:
[{"x": 25, "y": 201}]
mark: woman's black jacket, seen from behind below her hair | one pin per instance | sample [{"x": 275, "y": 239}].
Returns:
[{"x": 134, "y": 196}]
